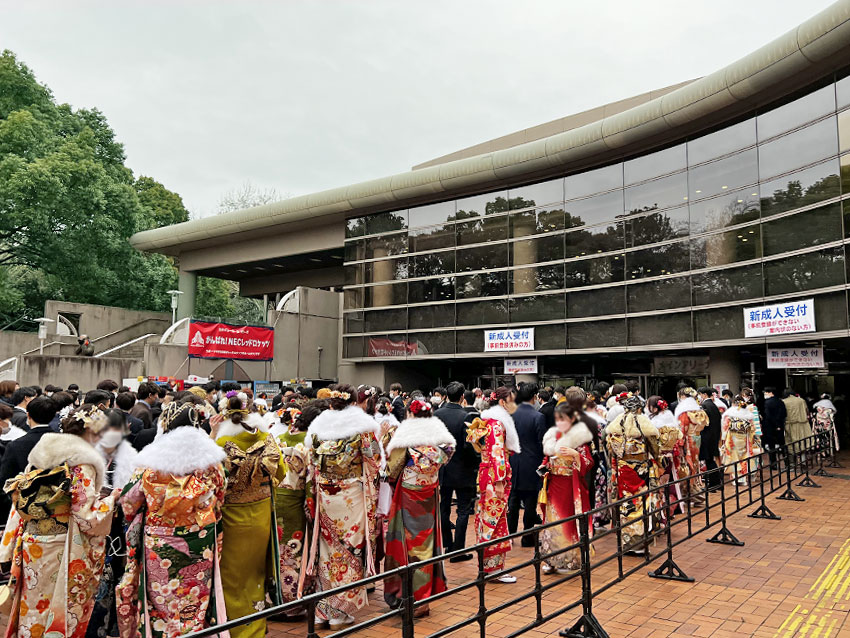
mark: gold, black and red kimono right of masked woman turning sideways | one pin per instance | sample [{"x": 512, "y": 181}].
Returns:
[{"x": 632, "y": 442}]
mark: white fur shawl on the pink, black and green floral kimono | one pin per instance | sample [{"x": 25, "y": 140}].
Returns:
[{"x": 181, "y": 452}]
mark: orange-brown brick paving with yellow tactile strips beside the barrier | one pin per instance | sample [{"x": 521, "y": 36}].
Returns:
[{"x": 791, "y": 578}]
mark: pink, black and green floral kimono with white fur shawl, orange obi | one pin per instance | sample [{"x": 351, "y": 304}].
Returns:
[{"x": 172, "y": 585}]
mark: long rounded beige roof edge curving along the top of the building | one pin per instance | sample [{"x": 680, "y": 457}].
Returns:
[{"x": 818, "y": 46}]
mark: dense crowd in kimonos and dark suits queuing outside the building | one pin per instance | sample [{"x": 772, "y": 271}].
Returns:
[{"x": 158, "y": 513}]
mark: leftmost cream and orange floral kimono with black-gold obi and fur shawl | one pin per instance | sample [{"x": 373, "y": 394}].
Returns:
[{"x": 56, "y": 538}]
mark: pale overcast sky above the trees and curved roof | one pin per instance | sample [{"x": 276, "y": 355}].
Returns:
[{"x": 302, "y": 96}]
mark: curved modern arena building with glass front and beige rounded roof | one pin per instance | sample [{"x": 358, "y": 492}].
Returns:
[{"x": 623, "y": 242}]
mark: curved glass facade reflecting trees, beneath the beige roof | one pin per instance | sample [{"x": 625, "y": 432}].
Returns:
[{"x": 666, "y": 248}]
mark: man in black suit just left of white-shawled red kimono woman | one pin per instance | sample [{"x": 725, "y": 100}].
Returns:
[{"x": 459, "y": 475}]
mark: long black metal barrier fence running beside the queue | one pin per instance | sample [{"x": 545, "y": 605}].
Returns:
[{"x": 733, "y": 491}]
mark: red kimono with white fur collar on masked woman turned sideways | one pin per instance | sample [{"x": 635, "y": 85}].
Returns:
[{"x": 565, "y": 493}]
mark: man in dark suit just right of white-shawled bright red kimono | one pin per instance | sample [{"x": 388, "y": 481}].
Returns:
[{"x": 525, "y": 482}]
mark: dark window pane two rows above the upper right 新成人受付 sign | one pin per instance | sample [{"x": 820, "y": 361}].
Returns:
[{"x": 802, "y": 230}]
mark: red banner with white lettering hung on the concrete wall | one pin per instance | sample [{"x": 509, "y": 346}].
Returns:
[{"x": 225, "y": 341}]
